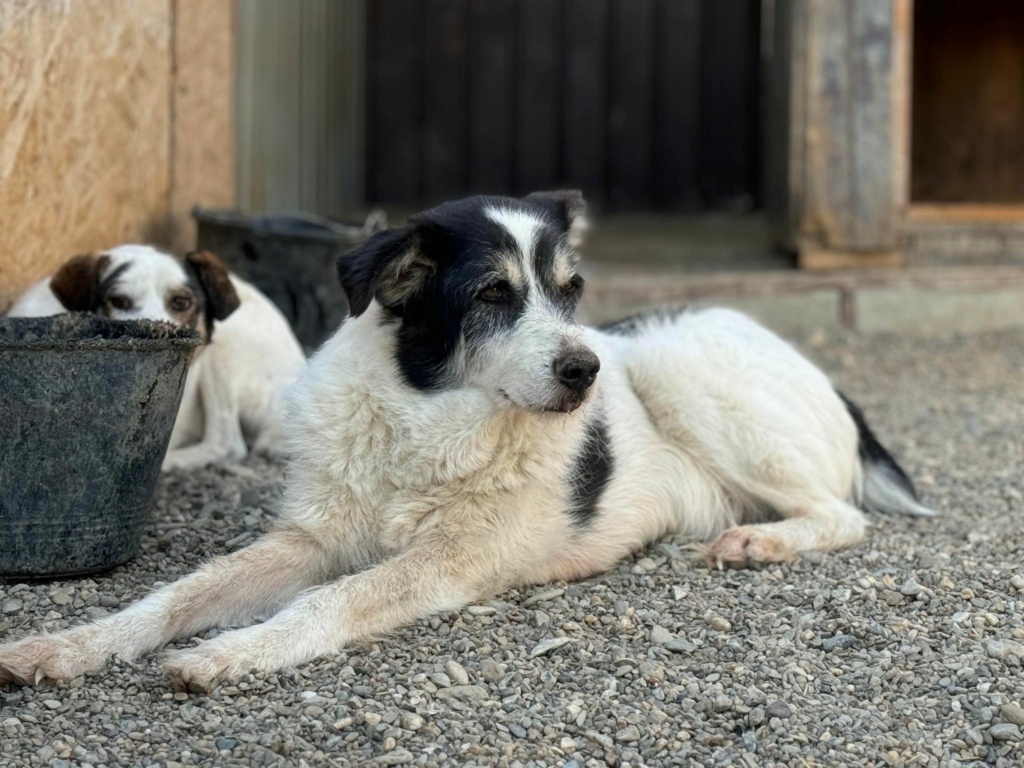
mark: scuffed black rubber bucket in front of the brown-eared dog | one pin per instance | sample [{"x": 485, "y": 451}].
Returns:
[{"x": 87, "y": 410}]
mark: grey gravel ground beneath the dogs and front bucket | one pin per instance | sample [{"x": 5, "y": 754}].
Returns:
[{"x": 906, "y": 651}]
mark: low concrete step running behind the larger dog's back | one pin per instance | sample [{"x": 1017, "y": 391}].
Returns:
[{"x": 925, "y": 302}]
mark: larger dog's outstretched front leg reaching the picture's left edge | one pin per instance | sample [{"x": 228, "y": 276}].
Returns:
[{"x": 232, "y": 589}]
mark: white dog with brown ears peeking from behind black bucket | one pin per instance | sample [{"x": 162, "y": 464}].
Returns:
[{"x": 234, "y": 392}]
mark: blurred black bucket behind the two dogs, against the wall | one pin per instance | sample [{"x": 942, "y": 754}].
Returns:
[{"x": 291, "y": 258}]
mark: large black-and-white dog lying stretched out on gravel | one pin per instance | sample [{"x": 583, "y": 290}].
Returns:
[{"x": 461, "y": 435}]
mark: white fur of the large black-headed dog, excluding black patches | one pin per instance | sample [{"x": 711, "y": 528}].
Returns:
[{"x": 400, "y": 503}]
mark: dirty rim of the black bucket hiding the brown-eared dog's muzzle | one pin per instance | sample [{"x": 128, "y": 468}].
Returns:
[{"x": 83, "y": 331}]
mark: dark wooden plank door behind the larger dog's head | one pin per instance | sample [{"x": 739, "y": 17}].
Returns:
[{"x": 646, "y": 105}]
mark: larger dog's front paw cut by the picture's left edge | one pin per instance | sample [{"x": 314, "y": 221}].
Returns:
[{"x": 40, "y": 658}]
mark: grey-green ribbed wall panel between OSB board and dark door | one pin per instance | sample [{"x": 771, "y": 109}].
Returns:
[{"x": 301, "y": 106}]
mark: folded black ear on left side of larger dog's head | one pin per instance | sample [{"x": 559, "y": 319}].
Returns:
[{"x": 390, "y": 267}]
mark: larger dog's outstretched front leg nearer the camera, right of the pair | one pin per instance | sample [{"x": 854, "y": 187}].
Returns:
[{"x": 425, "y": 580}]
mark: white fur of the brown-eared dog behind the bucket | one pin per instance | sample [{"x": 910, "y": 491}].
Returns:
[{"x": 235, "y": 388}]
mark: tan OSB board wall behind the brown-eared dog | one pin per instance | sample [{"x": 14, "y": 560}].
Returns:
[{"x": 88, "y": 116}]
